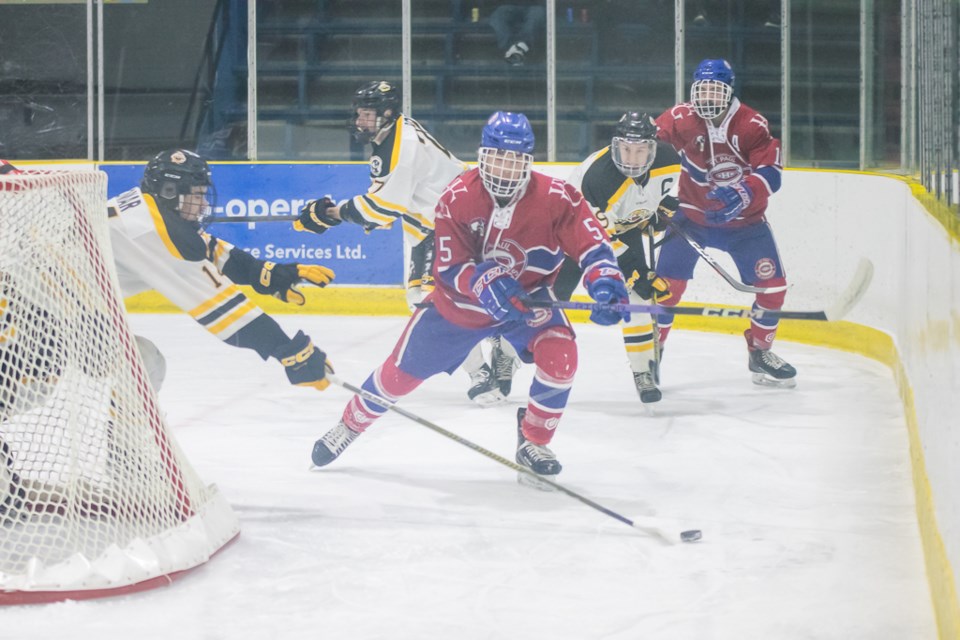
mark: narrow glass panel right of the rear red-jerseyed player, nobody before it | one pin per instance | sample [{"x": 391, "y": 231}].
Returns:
[{"x": 825, "y": 77}]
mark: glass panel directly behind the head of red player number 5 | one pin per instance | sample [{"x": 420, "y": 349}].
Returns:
[{"x": 472, "y": 58}]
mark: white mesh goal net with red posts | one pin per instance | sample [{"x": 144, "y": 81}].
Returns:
[{"x": 96, "y": 497}]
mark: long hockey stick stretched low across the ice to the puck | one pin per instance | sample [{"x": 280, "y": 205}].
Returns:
[{"x": 654, "y": 532}]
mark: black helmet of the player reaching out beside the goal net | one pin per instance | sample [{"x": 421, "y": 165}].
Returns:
[{"x": 172, "y": 175}]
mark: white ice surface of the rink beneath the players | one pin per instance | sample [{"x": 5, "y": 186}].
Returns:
[{"x": 804, "y": 497}]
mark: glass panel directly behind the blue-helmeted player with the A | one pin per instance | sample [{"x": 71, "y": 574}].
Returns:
[{"x": 747, "y": 35}]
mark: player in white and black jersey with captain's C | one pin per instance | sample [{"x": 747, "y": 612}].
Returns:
[{"x": 631, "y": 186}]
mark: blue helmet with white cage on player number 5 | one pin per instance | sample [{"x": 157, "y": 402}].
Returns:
[{"x": 506, "y": 153}]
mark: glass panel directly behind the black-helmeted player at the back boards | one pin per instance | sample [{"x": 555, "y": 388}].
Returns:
[{"x": 311, "y": 58}]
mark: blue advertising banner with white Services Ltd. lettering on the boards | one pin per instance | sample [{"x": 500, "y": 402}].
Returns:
[{"x": 269, "y": 190}]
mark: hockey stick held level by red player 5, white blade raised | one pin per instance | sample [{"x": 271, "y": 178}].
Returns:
[{"x": 840, "y": 307}]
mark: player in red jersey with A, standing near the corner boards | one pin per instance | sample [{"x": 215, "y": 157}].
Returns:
[{"x": 730, "y": 166}]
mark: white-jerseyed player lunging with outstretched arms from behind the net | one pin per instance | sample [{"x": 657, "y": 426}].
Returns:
[{"x": 158, "y": 241}]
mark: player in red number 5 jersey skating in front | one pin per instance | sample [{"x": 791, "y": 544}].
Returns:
[{"x": 502, "y": 231}]
